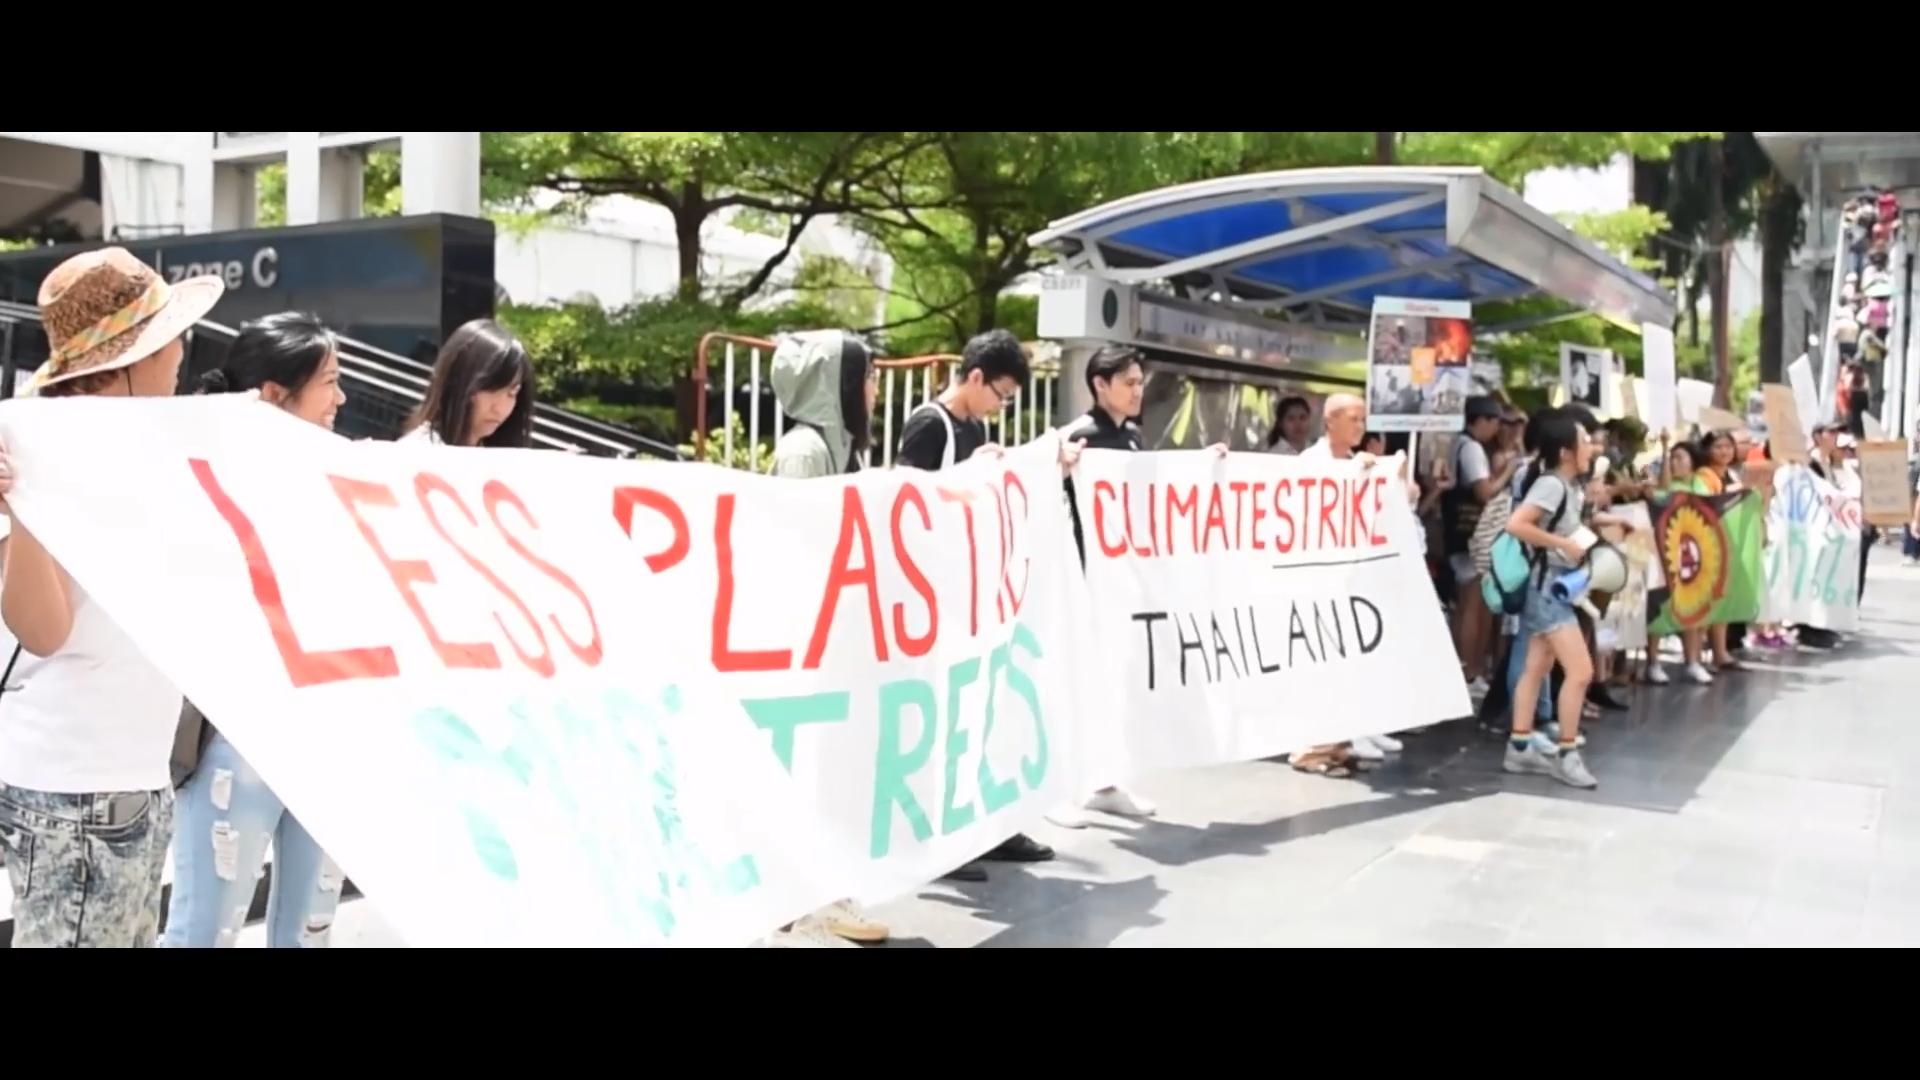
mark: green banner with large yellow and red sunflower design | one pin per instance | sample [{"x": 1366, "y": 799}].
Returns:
[{"x": 1712, "y": 551}]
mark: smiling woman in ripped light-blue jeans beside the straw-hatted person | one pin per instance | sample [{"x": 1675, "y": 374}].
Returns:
[{"x": 228, "y": 814}]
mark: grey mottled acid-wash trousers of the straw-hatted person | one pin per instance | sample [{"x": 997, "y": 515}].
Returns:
[{"x": 85, "y": 870}]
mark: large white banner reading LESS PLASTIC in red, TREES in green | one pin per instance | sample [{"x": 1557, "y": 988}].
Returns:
[{"x": 535, "y": 699}]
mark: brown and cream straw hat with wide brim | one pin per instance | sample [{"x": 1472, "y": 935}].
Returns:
[{"x": 107, "y": 310}]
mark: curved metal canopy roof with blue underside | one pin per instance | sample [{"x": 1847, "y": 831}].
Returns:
[{"x": 1326, "y": 243}]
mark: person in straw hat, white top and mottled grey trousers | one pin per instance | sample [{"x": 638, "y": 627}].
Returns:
[{"x": 87, "y": 727}]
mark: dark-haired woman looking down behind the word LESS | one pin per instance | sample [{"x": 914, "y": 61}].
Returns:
[{"x": 483, "y": 391}]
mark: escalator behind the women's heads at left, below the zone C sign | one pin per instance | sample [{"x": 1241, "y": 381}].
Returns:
[{"x": 383, "y": 389}]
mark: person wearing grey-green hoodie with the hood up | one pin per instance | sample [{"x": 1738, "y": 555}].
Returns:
[{"x": 827, "y": 383}]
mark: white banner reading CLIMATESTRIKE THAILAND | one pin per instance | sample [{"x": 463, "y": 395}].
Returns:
[{"x": 1251, "y": 606}]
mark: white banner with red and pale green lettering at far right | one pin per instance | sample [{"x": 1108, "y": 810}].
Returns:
[{"x": 1813, "y": 552}]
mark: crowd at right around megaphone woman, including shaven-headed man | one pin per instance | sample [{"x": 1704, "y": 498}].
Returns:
[{"x": 1539, "y": 664}]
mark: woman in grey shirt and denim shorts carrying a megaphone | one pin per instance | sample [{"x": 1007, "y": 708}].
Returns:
[{"x": 1548, "y": 522}]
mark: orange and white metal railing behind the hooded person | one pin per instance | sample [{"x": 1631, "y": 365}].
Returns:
[{"x": 905, "y": 385}]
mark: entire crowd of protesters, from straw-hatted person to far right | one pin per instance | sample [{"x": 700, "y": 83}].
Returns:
[{"x": 105, "y": 770}]
